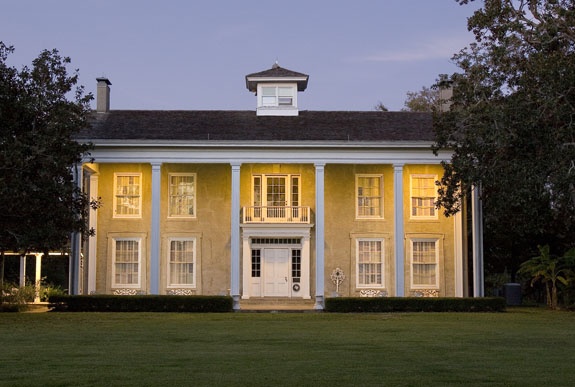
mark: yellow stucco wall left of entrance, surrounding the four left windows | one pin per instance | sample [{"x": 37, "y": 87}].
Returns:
[{"x": 211, "y": 226}]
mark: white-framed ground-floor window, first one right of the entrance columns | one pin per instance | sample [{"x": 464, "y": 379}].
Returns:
[{"x": 370, "y": 263}]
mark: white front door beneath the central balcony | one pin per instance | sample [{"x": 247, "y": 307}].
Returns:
[{"x": 276, "y": 272}]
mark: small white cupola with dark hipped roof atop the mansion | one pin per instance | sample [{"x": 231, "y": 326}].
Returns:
[{"x": 276, "y": 90}]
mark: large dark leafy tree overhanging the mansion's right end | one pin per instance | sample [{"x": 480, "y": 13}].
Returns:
[{"x": 511, "y": 126}]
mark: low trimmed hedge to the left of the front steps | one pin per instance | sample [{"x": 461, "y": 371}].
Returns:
[{"x": 141, "y": 303}]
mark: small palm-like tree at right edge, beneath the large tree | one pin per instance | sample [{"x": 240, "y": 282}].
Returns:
[{"x": 551, "y": 271}]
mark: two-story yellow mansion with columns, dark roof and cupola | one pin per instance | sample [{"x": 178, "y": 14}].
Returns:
[{"x": 267, "y": 203}]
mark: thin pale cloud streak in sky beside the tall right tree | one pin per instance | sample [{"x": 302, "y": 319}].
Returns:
[{"x": 439, "y": 48}]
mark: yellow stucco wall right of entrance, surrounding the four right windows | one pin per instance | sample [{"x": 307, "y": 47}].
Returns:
[{"x": 343, "y": 228}]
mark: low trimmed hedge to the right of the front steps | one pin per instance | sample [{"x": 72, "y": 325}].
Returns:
[{"x": 413, "y": 304}]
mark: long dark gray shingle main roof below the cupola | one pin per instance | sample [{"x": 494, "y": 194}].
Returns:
[{"x": 242, "y": 126}]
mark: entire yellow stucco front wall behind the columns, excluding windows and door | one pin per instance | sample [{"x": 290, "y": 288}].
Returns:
[{"x": 211, "y": 226}]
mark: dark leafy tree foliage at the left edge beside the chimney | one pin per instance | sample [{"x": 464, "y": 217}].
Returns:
[{"x": 40, "y": 203}]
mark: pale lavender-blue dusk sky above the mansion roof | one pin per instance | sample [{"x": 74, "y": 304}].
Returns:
[{"x": 194, "y": 55}]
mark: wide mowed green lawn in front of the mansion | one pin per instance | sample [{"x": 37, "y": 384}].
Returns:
[{"x": 522, "y": 347}]
